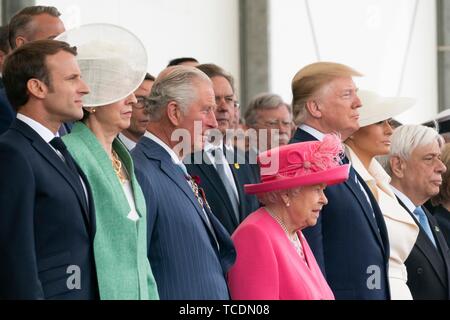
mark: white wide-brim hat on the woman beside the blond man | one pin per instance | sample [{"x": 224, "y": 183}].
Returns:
[{"x": 376, "y": 108}]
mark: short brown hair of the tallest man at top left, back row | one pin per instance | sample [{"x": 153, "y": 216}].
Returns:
[{"x": 21, "y": 21}]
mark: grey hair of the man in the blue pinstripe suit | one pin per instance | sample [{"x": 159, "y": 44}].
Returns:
[{"x": 177, "y": 84}]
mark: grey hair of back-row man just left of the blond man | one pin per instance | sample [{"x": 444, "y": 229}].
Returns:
[{"x": 263, "y": 101}]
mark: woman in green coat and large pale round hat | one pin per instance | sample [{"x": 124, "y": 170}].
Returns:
[{"x": 113, "y": 69}]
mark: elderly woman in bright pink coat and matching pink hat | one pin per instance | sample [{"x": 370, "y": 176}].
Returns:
[{"x": 274, "y": 261}]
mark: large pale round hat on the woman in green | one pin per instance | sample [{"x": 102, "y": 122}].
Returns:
[{"x": 112, "y": 60}]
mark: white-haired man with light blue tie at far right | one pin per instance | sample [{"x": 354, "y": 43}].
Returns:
[{"x": 415, "y": 168}]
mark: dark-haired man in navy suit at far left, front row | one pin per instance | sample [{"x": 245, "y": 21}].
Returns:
[{"x": 46, "y": 221}]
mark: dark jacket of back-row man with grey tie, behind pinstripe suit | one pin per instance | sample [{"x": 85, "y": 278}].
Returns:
[{"x": 218, "y": 199}]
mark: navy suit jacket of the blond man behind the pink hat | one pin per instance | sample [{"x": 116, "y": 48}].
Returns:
[{"x": 349, "y": 243}]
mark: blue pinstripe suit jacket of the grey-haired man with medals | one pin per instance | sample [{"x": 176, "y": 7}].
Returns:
[{"x": 182, "y": 249}]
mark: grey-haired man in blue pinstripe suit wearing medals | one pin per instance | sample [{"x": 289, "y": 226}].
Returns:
[{"x": 189, "y": 249}]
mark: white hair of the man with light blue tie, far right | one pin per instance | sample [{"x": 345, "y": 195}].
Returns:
[{"x": 407, "y": 138}]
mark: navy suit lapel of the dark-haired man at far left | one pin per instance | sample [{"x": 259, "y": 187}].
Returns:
[{"x": 55, "y": 161}]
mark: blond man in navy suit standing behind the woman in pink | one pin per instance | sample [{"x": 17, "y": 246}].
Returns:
[{"x": 350, "y": 240}]
